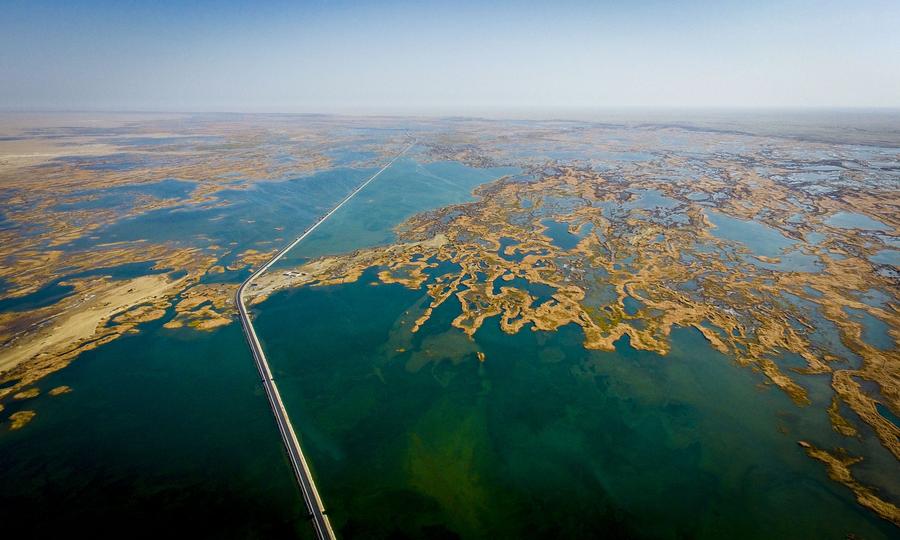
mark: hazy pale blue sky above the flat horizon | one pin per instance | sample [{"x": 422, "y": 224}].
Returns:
[{"x": 451, "y": 56}]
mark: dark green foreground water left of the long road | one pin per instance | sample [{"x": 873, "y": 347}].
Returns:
[{"x": 164, "y": 431}]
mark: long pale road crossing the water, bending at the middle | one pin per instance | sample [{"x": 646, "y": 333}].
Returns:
[{"x": 311, "y": 496}]
